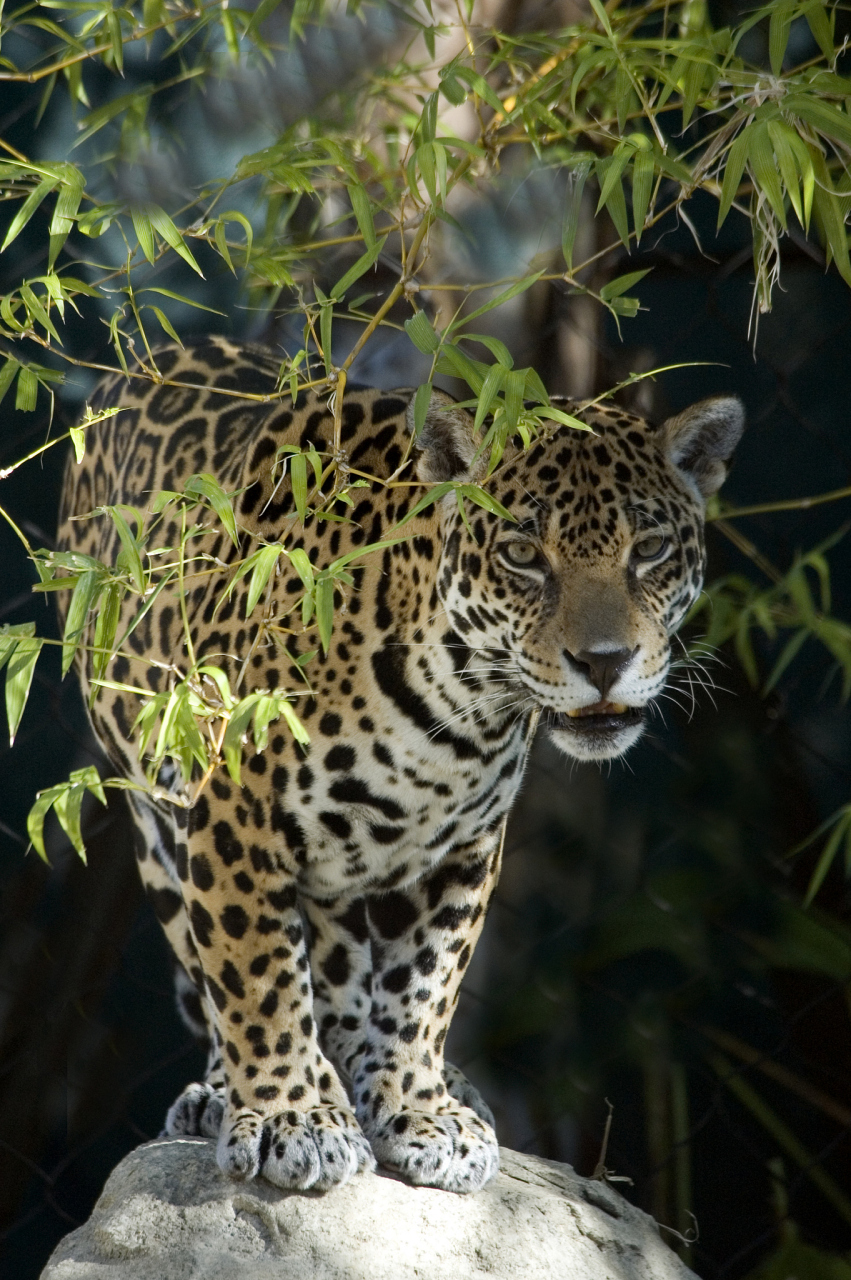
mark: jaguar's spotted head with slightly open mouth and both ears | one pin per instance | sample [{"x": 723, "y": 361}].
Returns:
[{"x": 580, "y": 596}]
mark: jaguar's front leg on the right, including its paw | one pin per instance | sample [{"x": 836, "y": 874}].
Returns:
[{"x": 422, "y": 943}]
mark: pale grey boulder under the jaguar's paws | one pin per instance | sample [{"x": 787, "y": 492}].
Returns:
[{"x": 168, "y": 1214}]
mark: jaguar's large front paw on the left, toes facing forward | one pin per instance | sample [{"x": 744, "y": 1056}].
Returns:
[{"x": 296, "y": 1150}]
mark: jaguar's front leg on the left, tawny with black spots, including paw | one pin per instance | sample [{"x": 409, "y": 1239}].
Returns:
[{"x": 285, "y": 1112}]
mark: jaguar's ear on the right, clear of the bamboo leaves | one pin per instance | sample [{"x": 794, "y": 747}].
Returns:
[{"x": 701, "y": 441}]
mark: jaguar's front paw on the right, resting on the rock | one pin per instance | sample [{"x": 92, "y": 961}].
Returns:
[{"x": 456, "y": 1150}]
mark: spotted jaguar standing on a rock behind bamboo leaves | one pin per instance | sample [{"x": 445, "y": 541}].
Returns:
[{"x": 324, "y": 911}]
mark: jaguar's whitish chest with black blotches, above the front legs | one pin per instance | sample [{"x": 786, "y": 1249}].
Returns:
[{"x": 377, "y": 801}]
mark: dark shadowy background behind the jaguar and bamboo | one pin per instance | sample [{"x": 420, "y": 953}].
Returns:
[{"x": 649, "y": 915}]
